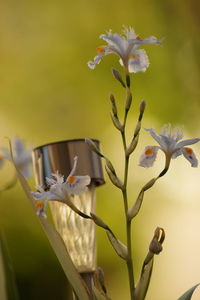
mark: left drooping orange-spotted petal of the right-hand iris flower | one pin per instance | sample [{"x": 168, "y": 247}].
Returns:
[{"x": 148, "y": 157}]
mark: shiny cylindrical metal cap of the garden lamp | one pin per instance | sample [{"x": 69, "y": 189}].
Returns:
[{"x": 59, "y": 156}]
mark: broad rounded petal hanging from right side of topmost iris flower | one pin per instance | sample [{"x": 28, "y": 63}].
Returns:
[{"x": 138, "y": 61}]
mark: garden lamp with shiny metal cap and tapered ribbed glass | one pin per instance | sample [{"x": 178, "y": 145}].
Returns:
[{"x": 78, "y": 233}]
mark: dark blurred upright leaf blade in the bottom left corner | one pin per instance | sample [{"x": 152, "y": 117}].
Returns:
[{"x": 8, "y": 288}]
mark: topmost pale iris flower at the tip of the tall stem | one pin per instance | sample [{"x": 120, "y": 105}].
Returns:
[{"x": 125, "y": 46}]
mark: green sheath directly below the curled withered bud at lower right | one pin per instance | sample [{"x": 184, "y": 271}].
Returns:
[{"x": 143, "y": 284}]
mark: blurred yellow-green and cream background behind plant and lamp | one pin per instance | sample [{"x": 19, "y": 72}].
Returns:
[{"x": 47, "y": 93}]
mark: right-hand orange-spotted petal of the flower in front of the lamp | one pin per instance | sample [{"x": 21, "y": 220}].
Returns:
[{"x": 77, "y": 185}]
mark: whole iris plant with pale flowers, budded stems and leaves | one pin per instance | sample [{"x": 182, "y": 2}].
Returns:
[{"x": 61, "y": 190}]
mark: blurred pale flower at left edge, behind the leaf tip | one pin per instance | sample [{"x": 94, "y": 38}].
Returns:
[{"x": 22, "y": 156}]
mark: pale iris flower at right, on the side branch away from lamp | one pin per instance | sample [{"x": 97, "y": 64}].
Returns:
[{"x": 169, "y": 142}]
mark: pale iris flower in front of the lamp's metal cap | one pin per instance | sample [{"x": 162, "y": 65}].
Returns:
[{"x": 60, "y": 190}]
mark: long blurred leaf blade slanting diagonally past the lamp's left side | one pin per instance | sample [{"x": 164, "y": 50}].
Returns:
[{"x": 57, "y": 245}]
